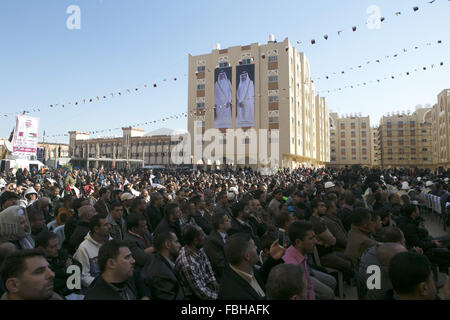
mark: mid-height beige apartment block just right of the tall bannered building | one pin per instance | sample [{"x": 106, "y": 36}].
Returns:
[{"x": 351, "y": 141}]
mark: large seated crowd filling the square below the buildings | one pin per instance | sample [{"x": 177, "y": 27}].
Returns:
[{"x": 178, "y": 234}]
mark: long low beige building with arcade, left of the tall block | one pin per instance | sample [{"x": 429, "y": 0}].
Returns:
[{"x": 134, "y": 149}]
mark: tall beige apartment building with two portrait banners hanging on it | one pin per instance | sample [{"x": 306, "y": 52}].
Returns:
[{"x": 285, "y": 106}]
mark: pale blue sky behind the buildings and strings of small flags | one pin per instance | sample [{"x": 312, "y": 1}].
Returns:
[{"x": 124, "y": 44}]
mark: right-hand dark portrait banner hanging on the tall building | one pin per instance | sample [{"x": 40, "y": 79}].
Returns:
[{"x": 245, "y": 96}]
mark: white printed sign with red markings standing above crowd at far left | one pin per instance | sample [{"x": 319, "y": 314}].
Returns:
[{"x": 25, "y": 138}]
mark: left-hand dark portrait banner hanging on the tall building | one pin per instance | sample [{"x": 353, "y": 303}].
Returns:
[{"x": 223, "y": 98}]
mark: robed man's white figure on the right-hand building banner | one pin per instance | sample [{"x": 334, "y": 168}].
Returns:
[{"x": 245, "y": 98}]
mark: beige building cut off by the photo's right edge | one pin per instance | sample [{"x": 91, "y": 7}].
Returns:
[{"x": 441, "y": 130}]
